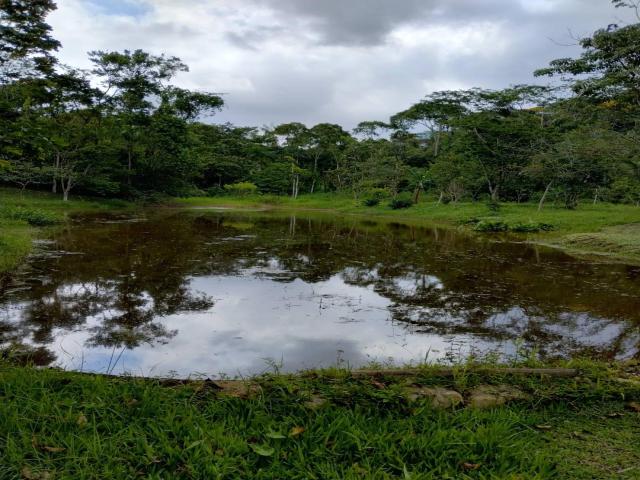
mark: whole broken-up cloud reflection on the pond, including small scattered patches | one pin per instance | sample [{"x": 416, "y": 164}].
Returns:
[{"x": 256, "y": 320}]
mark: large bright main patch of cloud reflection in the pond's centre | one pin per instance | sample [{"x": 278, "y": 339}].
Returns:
[{"x": 256, "y": 320}]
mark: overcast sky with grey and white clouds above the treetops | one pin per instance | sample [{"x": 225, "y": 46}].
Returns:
[{"x": 339, "y": 61}]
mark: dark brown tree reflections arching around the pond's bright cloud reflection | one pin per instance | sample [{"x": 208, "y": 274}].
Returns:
[{"x": 131, "y": 275}]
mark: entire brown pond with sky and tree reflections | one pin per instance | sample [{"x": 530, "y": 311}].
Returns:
[{"x": 211, "y": 292}]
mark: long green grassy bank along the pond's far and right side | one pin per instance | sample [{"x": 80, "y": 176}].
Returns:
[{"x": 602, "y": 229}]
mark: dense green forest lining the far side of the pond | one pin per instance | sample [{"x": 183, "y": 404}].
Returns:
[{"x": 122, "y": 129}]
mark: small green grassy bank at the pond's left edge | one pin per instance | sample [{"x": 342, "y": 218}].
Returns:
[{"x": 21, "y": 214}]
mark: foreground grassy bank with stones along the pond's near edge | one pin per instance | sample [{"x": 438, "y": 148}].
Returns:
[{"x": 327, "y": 425}]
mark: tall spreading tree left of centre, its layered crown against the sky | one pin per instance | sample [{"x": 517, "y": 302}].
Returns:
[{"x": 151, "y": 114}]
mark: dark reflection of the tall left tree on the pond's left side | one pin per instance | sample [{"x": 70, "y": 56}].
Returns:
[{"x": 118, "y": 292}]
